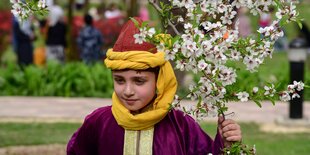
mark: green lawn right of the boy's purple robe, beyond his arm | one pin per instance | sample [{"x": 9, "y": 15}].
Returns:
[{"x": 270, "y": 143}]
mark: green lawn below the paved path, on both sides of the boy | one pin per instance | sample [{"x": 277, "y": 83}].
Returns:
[{"x": 12, "y": 134}]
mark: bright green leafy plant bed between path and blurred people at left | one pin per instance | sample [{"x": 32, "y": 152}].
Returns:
[{"x": 72, "y": 79}]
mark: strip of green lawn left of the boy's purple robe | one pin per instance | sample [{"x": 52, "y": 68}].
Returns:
[{"x": 35, "y": 133}]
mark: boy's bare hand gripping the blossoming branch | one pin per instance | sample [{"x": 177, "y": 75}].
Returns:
[{"x": 229, "y": 130}]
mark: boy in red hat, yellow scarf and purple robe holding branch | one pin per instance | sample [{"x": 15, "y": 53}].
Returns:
[{"x": 139, "y": 120}]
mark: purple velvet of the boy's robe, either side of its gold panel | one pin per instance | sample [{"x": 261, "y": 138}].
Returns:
[{"x": 176, "y": 134}]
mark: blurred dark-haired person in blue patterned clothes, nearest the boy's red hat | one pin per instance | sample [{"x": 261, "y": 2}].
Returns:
[{"x": 90, "y": 42}]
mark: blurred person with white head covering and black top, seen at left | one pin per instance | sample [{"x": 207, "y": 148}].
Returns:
[{"x": 56, "y": 35}]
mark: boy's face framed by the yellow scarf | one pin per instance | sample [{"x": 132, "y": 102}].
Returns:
[{"x": 135, "y": 89}]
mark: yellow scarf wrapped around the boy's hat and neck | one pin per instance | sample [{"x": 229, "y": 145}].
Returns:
[{"x": 166, "y": 87}]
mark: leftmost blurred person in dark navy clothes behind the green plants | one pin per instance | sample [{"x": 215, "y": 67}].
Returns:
[{"x": 24, "y": 36}]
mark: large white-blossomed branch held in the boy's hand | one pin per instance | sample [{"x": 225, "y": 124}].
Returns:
[{"x": 210, "y": 39}]
